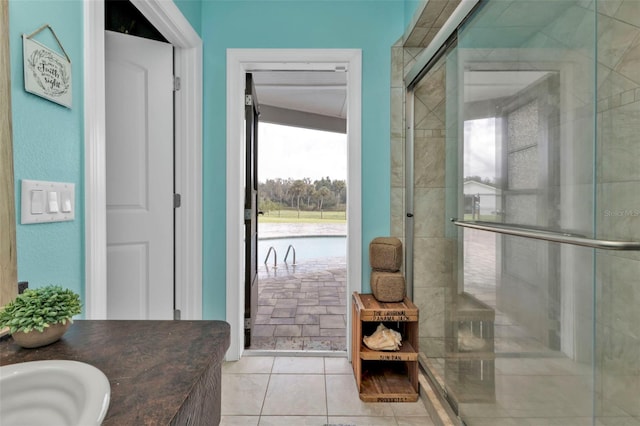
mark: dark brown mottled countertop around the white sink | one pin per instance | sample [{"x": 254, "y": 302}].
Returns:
[{"x": 152, "y": 366}]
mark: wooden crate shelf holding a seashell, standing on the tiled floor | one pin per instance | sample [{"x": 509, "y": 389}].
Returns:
[{"x": 385, "y": 376}]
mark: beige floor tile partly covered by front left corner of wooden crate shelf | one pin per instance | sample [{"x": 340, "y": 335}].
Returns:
[{"x": 343, "y": 399}]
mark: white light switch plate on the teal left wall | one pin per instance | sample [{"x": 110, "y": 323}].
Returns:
[{"x": 68, "y": 189}]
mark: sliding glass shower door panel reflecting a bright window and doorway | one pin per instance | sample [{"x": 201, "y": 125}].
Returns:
[{"x": 526, "y": 96}]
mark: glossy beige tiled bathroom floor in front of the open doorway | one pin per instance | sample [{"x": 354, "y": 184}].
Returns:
[{"x": 305, "y": 391}]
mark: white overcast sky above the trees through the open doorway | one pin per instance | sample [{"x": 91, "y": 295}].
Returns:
[{"x": 291, "y": 152}]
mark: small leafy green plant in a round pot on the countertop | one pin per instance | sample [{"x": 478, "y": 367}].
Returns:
[{"x": 40, "y": 316}]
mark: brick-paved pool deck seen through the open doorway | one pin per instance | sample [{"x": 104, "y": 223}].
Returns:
[{"x": 302, "y": 307}]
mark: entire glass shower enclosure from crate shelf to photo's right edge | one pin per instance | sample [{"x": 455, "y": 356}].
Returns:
[{"x": 513, "y": 128}]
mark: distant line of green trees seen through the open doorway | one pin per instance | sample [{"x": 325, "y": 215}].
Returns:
[{"x": 302, "y": 194}]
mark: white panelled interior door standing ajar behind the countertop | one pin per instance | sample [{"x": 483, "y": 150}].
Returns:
[{"x": 139, "y": 172}]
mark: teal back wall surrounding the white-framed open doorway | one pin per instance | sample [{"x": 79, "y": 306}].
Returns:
[{"x": 373, "y": 26}]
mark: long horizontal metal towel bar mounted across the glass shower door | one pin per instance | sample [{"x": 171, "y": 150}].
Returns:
[{"x": 554, "y": 236}]
